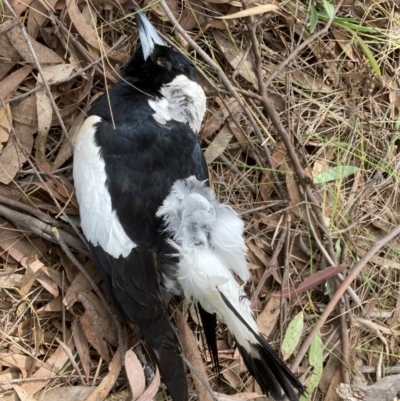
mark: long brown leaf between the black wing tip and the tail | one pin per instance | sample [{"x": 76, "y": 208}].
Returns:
[{"x": 190, "y": 349}]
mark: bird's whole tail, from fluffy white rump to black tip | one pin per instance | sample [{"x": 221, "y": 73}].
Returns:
[{"x": 208, "y": 240}]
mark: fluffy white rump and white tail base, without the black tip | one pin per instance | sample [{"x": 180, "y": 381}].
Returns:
[{"x": 208, "y": 238}]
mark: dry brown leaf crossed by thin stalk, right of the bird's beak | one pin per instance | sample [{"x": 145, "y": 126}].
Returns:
[{"x": 234, "y": 57}]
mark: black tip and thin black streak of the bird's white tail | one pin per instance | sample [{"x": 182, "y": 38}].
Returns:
[{"x": 268, "y": 369}]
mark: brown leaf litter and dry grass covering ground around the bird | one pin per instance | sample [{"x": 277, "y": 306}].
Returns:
[{"x": 330, "y": 194}]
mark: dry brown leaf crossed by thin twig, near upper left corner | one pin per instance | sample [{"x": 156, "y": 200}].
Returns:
[{"x": 43, "y": 53}]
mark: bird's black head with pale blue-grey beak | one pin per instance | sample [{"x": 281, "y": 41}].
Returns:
[{"x": 154, "y": 64}]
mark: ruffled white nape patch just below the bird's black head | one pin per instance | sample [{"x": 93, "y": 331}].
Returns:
[{"x": 183, "y": 100}]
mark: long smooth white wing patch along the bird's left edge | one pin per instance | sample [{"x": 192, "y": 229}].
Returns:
[{"x": 99, "y": 222}]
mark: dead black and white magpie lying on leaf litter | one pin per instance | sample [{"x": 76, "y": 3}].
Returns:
[{"x": 154, "y": 226}]
